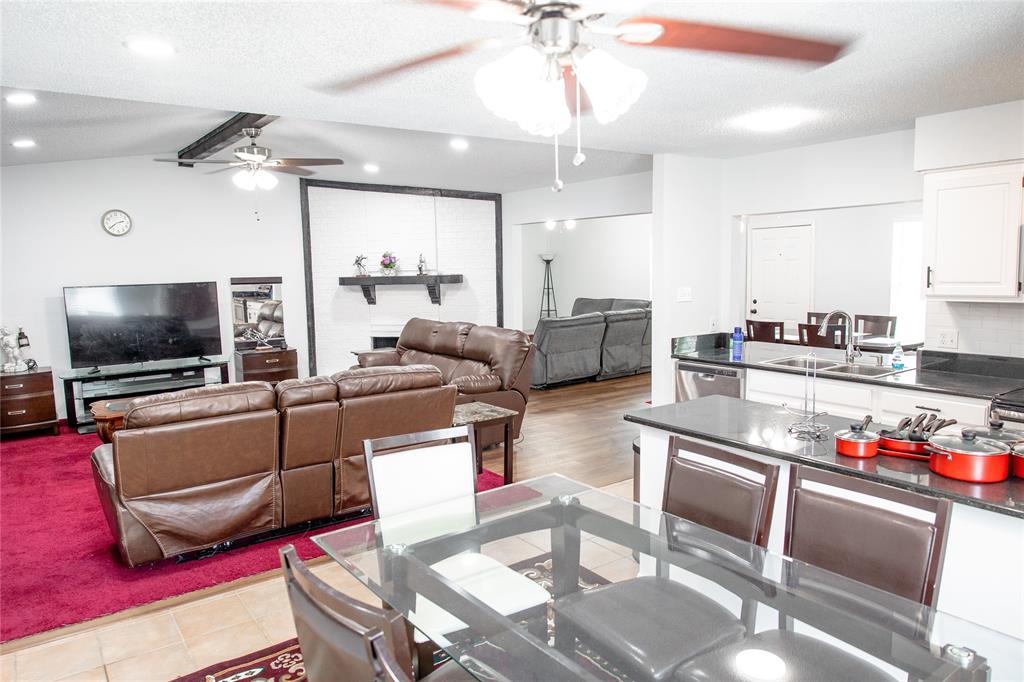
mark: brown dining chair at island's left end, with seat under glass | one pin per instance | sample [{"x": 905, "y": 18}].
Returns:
[{"x": 724, "y": 492}]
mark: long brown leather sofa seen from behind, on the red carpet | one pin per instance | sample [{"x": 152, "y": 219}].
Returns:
[{"x": 196, "y": 468}]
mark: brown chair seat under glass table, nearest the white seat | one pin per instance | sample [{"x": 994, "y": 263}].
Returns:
[{"x": 689, "y": 623}]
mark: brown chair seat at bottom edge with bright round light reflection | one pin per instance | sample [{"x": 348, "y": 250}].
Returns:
[{"x": 805, "y": 660}]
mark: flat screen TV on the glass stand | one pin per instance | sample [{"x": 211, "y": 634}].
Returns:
[{"x": 125, "y": 324}]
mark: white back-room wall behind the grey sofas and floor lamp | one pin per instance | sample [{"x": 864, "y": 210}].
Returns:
[{"x": 600, "y": 259}]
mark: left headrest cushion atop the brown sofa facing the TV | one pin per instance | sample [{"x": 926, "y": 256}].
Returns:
[{"x": 202, "y": 403}]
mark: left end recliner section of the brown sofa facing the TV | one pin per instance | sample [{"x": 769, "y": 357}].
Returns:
[{"x": 191, "y": 470}]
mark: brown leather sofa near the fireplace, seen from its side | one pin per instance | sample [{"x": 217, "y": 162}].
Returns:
[{"x": 487, "y": 364}]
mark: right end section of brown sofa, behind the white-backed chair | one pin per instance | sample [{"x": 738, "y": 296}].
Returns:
[{"x": 377, "y": 403}]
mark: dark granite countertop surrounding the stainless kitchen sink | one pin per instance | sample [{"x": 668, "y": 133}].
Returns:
[{"x": 940, "y": 373}]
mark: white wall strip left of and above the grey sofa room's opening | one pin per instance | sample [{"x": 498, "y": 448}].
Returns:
[{"x": 620, "y": 195}]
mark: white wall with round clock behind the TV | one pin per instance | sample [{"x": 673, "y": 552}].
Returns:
[{"x": 188, "y": 227}]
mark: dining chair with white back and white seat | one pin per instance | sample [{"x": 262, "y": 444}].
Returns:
[{"x": 423, "y": 486}]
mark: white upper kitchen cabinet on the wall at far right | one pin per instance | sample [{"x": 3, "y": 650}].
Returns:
[{"x": 973, "y": 233}]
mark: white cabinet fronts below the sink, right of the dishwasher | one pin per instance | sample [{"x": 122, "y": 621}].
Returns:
[{"x": 845, "y": 399}]
